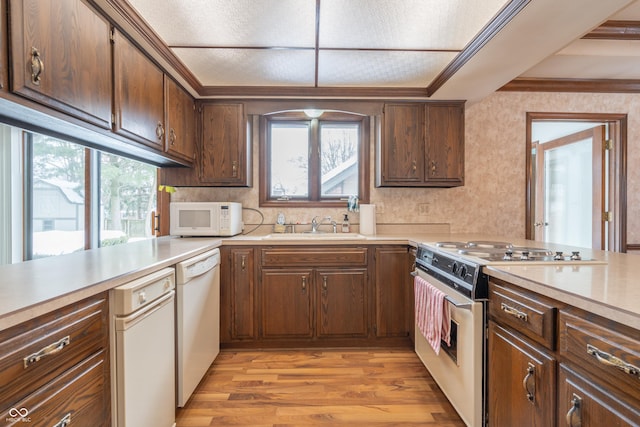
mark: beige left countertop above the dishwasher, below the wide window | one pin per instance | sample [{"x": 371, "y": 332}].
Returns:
[{"x": 31, "y": 288}]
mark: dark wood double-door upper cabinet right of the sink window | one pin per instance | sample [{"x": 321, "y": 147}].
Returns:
[{"x": 422, "y": 145}]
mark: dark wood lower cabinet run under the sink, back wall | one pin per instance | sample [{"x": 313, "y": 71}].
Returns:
[{"x": 305, "y": 296}]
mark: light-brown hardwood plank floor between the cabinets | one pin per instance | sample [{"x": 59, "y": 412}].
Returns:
[{"x": 372, "y": 387}]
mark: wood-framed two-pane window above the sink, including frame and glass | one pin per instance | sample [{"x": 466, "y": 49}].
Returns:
[{"x": 313, "y": 161}]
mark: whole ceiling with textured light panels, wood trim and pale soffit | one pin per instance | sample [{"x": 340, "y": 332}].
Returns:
[{"x": 437, "y": 49}]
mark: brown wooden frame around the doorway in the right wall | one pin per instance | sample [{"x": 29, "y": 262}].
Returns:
[{"x": 617, "y": 239}]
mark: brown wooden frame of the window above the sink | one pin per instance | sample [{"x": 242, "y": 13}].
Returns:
[{"x": 315, "y": 198}]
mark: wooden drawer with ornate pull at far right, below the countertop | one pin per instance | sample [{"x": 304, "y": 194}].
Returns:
[{"x": 604, "y": 348}]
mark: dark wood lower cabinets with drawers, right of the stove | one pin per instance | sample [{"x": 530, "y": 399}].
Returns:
[{"x": 550, "y": 364}]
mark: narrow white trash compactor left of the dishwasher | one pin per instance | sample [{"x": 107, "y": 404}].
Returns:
[{"x": 143, "y": 351}]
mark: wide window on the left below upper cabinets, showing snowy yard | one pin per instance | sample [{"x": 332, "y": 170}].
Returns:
[{"x": 75, "y": 198}]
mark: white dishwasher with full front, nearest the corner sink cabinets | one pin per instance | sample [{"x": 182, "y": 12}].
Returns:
[{"x": 198, "y": 320}]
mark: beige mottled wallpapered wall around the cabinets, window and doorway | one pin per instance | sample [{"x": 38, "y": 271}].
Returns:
[{"x": 493, "y": 197}]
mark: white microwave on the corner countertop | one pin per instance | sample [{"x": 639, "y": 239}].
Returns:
[{"x": 205, "y": 218}]
